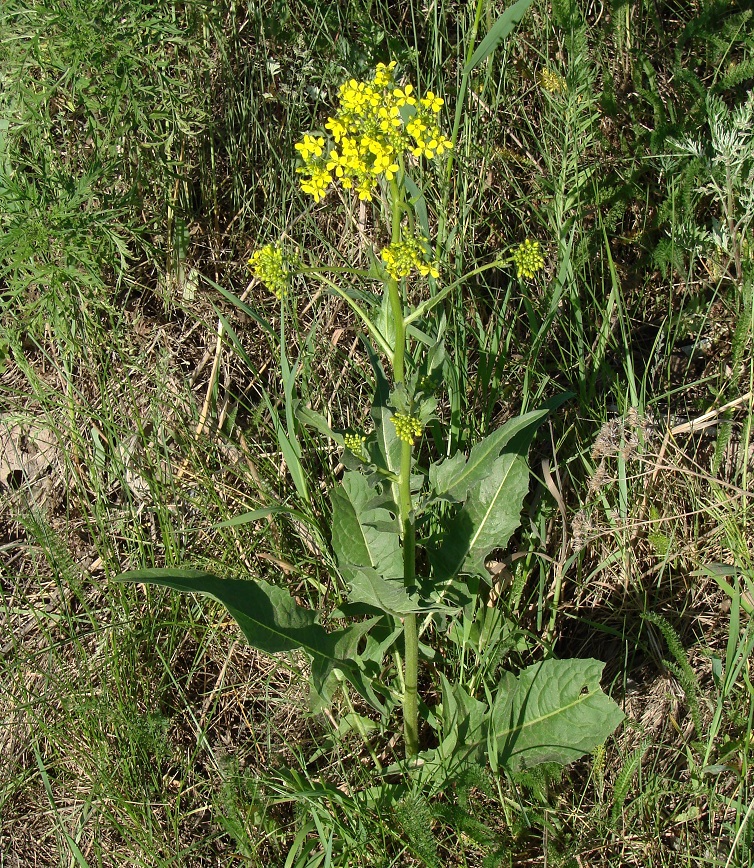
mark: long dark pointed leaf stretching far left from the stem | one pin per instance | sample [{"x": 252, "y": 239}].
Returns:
[{"x": 273, "y": 622}]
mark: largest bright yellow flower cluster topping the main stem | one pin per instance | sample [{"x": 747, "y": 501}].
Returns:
[{"x": 375, "y": 124}]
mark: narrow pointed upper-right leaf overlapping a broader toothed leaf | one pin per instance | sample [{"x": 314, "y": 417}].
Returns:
[{"x": 453, "y": 477}]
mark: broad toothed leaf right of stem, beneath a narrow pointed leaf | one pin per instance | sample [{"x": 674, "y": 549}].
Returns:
[{"x": 485, "y": 522}]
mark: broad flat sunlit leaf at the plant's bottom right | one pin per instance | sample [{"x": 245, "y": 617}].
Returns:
[{"x": 554, "y": 711}]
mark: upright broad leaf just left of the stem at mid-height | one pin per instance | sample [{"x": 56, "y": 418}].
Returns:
[{"x": 364, "y": 532}]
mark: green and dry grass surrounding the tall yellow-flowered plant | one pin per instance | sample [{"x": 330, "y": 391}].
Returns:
[{"x": 145, "y": 147}]
